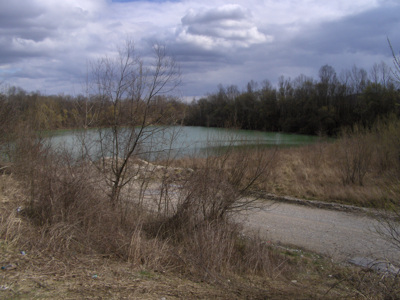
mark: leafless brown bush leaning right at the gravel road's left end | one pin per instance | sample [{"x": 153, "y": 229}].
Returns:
[{"x": 221, "y": 184}]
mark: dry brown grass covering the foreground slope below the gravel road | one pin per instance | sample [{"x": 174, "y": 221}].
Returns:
[{"x": 208, "y": 261}]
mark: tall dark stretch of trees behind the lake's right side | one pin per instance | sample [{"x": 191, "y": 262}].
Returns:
[{"x": 302, "y": 105}]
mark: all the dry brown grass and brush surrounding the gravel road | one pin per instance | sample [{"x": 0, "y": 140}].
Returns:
[{"x": 59, "y": 212}]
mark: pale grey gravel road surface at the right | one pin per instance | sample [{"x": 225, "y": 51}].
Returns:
[{"x": 339, "y": 235}]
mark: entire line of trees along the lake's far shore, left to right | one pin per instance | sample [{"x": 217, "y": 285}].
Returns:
[{"x": 301, "y": 105}]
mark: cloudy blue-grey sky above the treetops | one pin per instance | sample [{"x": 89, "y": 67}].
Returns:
[{"x": 45, "y": 44}]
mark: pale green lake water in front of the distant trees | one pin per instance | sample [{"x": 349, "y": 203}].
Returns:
[{"x": 159, "y": 142}]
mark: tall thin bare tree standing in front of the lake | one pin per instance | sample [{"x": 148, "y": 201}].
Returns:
[{"x": 127, "y": 87}]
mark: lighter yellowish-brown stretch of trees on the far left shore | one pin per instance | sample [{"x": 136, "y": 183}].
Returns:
[{"x": 48, "y": 112}]
